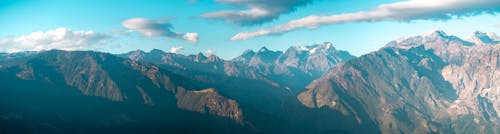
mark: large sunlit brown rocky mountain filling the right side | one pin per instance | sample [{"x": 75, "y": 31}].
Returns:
[{"x": 433, "y": 83}]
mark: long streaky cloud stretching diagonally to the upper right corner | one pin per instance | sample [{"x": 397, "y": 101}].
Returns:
[{"x": 399, "y": 11}]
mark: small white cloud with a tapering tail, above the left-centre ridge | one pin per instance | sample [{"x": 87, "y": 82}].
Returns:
[{"x": 152, "y": 28}]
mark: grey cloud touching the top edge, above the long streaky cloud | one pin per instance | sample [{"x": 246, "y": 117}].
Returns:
[{"x": 257, "y": 12}]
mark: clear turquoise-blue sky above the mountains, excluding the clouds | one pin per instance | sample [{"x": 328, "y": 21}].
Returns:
[{"x": 22, "y": 17}]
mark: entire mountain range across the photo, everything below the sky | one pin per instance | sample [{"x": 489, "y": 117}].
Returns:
[{"x": 431, "y": 83}]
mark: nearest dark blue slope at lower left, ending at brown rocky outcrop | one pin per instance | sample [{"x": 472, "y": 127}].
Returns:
[{"x": 90, "y": 92}]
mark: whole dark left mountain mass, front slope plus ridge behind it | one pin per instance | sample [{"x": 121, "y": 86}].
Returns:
[{"x": 162, "y": 92}]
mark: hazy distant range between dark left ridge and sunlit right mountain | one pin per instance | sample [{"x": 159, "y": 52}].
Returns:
[{"x": 292, "y": 69}]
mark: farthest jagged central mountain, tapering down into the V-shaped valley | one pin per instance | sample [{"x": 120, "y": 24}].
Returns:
[{"x": 297, "y": 66}]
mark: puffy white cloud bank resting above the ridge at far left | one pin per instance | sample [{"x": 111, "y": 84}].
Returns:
[{"x": 60, "y": 38}]
